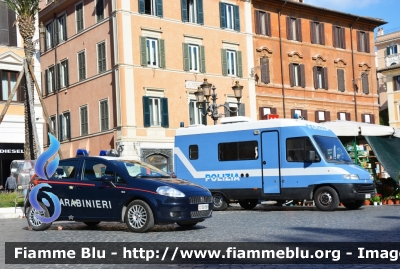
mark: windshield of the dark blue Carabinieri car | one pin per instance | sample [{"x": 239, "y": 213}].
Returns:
[{"x": 141, "y": 169}]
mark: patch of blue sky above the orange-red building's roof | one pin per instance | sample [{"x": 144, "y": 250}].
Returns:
[{"x": 388, "y": 10}]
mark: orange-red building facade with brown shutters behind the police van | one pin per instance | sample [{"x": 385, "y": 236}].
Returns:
[{"x": 313, "y": 62}]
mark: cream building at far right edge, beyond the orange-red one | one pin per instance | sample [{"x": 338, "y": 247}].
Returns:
[{"x": 388, "y": 64}]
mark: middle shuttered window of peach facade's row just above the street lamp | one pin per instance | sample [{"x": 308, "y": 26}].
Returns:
[{"x": 193, "y": 58}]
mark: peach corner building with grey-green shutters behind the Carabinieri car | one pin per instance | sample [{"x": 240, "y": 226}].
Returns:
[{"x": 122, "y": 74}]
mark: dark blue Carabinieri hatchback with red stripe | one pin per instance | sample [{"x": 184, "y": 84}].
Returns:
[{"x": 105, "y": 188}]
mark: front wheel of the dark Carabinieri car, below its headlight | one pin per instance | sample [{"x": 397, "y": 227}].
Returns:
[{"x": 139, "y": 217}]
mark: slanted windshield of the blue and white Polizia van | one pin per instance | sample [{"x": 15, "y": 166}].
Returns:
[{"x": 332, "y": 149}]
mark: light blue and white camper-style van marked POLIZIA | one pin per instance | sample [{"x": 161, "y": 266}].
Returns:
[{"x": 277, "y": 160}]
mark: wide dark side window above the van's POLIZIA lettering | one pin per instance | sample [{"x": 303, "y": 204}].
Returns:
[{"x": 237, "y": 151}]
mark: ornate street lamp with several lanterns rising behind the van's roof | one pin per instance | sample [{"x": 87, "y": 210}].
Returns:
[{"x": 207, "y": 90}]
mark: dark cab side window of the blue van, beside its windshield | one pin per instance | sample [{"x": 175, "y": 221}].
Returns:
[{"x": 298, "y": 148}]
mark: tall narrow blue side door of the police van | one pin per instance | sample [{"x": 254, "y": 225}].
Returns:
[{"x": 270, "y": 162}]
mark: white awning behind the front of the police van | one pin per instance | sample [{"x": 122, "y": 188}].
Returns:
[{"x": 353, "y": 128}]
